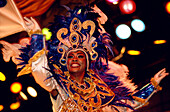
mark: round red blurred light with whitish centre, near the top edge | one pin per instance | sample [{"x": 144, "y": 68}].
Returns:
[{"x": 127, "y": 6}]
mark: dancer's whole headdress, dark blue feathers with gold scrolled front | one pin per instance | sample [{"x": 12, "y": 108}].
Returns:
[{"x": 78, "y": 30}]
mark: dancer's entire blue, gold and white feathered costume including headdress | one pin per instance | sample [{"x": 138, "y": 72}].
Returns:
[{"x": 104, "y": 85}]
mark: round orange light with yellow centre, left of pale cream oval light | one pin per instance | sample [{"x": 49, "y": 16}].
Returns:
[{"x": 16, "y": 87}]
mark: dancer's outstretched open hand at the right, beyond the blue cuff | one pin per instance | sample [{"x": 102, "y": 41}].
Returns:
[{"x": 160, "y": 75}]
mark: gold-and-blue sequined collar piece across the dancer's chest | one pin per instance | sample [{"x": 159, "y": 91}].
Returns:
[{"x": 91, "y": 98}]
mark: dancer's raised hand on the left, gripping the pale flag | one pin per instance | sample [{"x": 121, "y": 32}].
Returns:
[{"x": 31, "y": 24}]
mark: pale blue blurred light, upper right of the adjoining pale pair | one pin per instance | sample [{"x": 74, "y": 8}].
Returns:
[{"x": 138, "y": 25}]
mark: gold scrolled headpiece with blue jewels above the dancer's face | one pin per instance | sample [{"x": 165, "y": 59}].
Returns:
[{"x": 76, "y": 39}]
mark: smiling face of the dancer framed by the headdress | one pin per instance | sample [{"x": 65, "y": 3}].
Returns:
[{"x": 76, "y": 62}]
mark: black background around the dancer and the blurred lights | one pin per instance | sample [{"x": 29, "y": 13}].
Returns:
[{"x": 142, "y": 67}]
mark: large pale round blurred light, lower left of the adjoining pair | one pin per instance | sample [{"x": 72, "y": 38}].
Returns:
[{"x": 123, "y": 31}]
